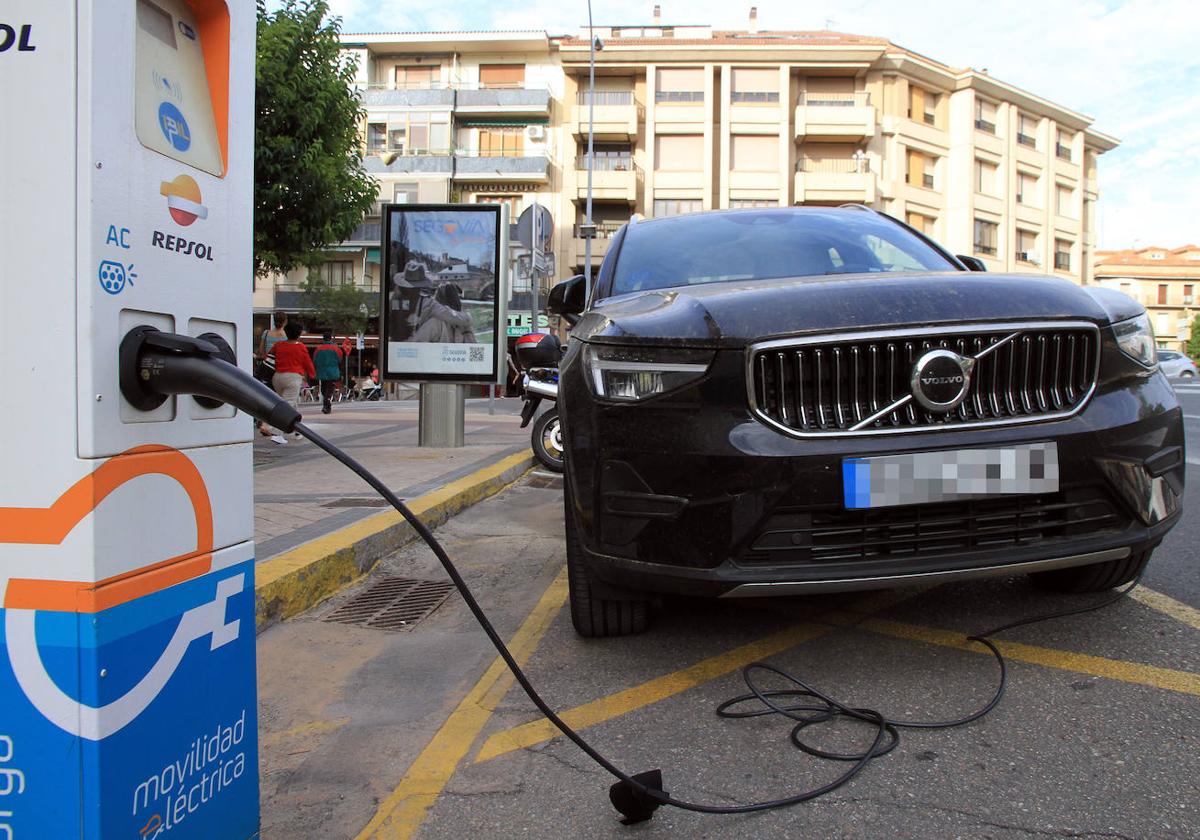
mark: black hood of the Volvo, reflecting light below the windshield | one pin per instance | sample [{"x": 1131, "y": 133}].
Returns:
[{"x": 731, "y": 314}]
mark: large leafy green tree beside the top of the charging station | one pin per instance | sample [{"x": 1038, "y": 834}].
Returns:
[{"x": 310, "y": 187}]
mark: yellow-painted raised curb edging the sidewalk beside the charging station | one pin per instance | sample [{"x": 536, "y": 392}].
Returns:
[{"x": 297, "y": 580}]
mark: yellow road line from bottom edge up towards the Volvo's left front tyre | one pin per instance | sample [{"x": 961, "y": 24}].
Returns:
[{"x": 403, "y": 812}]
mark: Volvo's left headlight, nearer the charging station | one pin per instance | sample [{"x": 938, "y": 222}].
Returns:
[{"x": 628, "y": 375}]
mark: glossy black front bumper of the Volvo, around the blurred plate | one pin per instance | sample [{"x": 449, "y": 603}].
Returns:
[{"x": 688, "y": 494}]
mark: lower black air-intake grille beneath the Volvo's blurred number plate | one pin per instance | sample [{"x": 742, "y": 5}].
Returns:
[{"x": 802, "y": 538}]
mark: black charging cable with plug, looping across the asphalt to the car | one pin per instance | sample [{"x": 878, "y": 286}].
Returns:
[{"x": 155, "y": 365}]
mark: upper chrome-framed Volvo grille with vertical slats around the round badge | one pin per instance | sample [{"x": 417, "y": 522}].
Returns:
[{"x": 855, "y": 386}]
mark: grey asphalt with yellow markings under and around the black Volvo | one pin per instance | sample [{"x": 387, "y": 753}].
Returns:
[{"x": 407, "y": 736}]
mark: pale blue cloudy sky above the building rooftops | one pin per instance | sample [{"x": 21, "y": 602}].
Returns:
[{"x": 1135, "y": 67}]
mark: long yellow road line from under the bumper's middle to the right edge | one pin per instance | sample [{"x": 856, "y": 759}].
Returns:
[{"x": 1095, "y": 667}]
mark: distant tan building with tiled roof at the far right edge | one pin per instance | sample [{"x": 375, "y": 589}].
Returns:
[{"x": 1166, "y": 281}]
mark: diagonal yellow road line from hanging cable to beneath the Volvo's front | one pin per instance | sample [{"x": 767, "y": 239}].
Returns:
[{"x": 623, "y": 703}]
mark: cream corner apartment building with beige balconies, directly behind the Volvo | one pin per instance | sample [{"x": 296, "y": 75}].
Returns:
[{"x": 697, "y": 119}]
